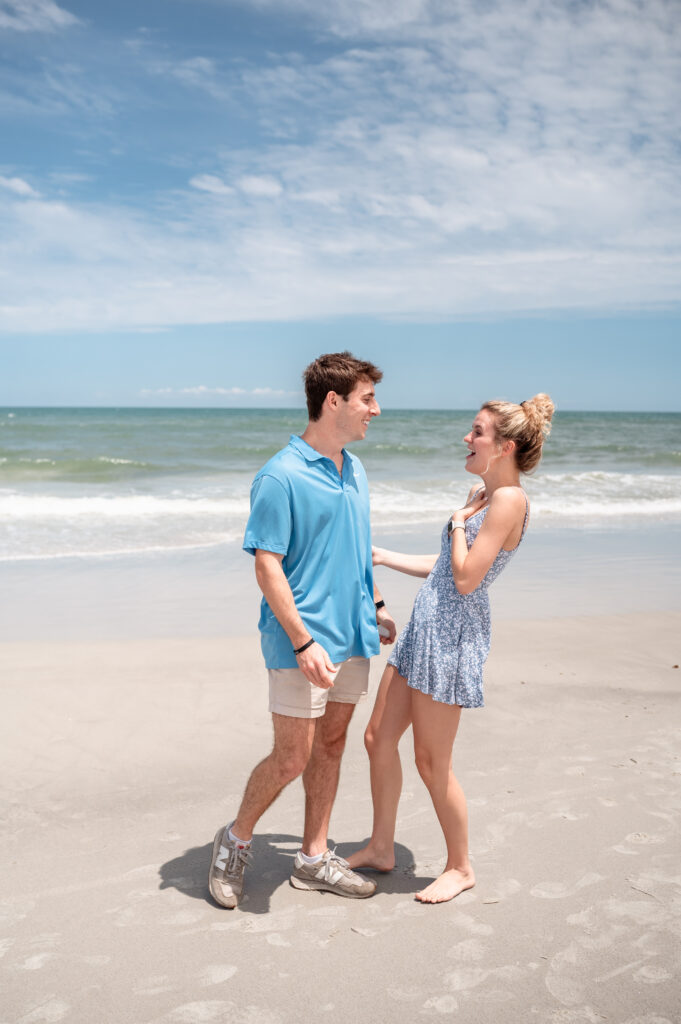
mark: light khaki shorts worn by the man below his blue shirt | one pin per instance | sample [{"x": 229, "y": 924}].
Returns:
[{"x": 292, "y": 695}]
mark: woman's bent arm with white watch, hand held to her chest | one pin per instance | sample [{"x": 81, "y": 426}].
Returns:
[{"x": 471, "y": 567}]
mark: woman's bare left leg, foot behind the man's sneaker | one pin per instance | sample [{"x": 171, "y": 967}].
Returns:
[{"x": 392, "y": 716}]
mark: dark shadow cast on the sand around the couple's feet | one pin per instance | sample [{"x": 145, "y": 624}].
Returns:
[{"x": 274, "y": 862}]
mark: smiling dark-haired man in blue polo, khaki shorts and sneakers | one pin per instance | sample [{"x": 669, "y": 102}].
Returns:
[{"x": 310, "y": 532}]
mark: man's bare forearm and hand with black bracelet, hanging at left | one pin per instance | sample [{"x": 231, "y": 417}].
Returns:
[{"x": 315, "y": 662}]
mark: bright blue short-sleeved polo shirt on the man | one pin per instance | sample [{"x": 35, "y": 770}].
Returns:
[{"x": 304, "y": 509}]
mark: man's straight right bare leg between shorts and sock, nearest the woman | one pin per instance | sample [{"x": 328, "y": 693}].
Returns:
[{"x": 322, "y": 775}]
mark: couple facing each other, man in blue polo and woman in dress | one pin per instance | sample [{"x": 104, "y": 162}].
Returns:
[{"x": 322, "y": 615}]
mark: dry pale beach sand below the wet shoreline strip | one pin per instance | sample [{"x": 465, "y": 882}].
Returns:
[{"x": 120, "y": 760}]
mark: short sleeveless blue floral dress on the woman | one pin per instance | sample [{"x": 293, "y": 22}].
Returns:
[{"x": 443, "y": 649}]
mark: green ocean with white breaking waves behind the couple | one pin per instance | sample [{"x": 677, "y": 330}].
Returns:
[{"x": 107, "y": 483}]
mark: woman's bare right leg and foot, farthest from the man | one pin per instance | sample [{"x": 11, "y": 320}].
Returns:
[{"x": 435, "y": 732}]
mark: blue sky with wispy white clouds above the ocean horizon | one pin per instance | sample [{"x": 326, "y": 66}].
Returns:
[{"x": 198, "y": 196}]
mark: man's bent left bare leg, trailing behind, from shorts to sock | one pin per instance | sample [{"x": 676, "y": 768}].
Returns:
[{"x": 291, "y": 753}]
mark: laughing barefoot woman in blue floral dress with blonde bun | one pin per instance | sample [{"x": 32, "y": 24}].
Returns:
[{"x": 437, "y": 667}]
